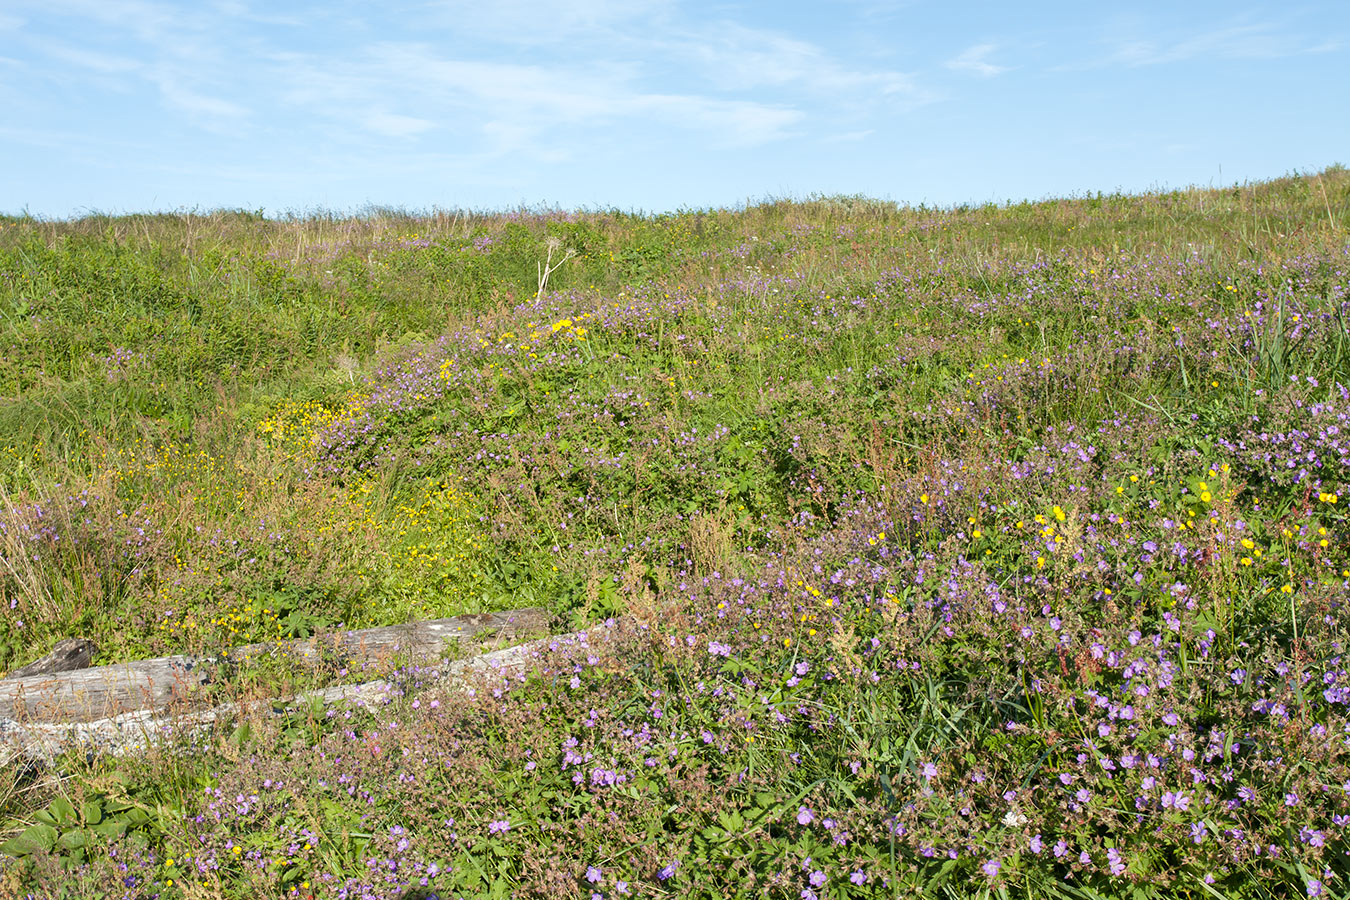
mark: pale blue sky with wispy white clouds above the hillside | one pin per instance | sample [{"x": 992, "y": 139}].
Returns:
[{"x": 133, "y": 106}]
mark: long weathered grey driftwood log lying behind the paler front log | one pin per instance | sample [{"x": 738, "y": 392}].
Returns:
[{"x": 103, "y": 692}]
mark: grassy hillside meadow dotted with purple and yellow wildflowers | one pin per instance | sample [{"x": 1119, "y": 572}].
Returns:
[{"x": 970, "y": 553}]
